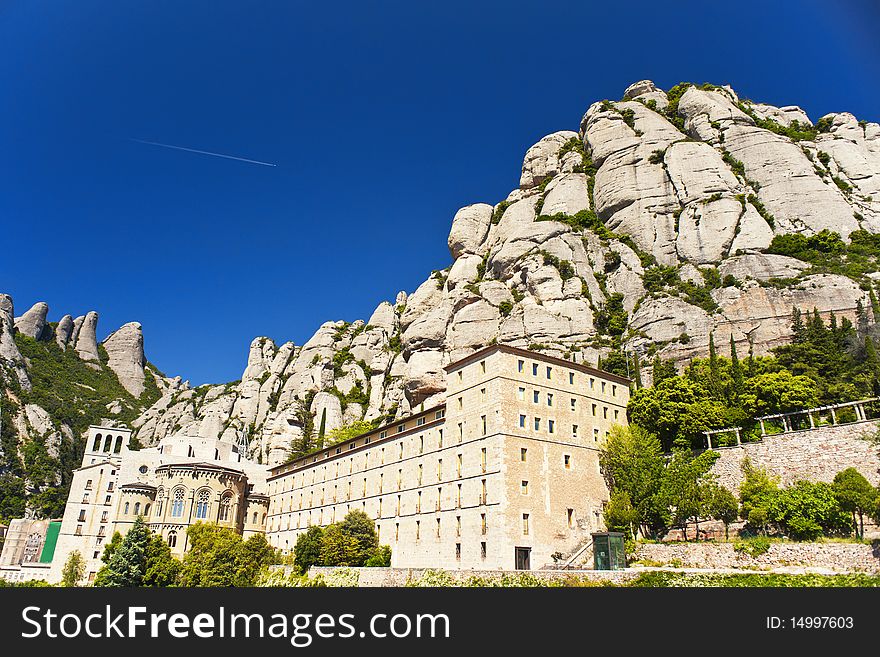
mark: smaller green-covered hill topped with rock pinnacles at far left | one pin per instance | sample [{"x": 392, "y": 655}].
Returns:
[{"x": 56, "y": 381}]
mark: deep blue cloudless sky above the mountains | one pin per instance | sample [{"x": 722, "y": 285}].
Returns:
[{"x": 383, "y": 119}]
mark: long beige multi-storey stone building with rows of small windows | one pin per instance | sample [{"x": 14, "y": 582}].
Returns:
[{"x": 502, "y": 476}]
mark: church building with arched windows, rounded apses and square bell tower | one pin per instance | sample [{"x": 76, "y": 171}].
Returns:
[{"x": 180, "y": 481}]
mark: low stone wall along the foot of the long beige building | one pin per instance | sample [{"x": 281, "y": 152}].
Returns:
[{"x": 373, "y": 577}]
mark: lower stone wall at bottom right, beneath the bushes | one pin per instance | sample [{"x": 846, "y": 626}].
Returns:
[{"x": 838, "y": 557}]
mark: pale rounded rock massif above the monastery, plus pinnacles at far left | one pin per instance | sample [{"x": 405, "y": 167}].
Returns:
[{"x": 667, "y": 216}]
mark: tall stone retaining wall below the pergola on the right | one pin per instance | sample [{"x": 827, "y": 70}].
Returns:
[{"x": 816, "y": 454}]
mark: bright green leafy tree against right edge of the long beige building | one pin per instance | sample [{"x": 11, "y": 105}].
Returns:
[{"x": 632, "y": 463}]
